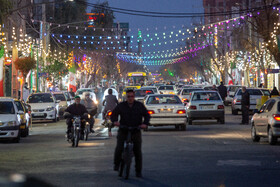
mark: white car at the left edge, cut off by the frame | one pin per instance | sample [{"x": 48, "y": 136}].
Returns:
[{"x": 10, "y": 120}]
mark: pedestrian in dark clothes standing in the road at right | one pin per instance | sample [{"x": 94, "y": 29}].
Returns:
[{"x": 245, "y": 105}]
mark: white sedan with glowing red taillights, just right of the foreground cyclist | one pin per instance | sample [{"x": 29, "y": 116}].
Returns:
[{"x": 166, "y": 110}]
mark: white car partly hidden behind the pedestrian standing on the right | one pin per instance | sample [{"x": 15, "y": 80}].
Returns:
[{"x": 255, "y": 93}]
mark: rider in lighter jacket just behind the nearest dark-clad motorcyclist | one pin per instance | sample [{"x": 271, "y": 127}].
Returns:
[{"x": 91, "y": 108}]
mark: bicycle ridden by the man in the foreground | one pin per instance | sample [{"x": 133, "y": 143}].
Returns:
[{"x": 127, "y": 154}]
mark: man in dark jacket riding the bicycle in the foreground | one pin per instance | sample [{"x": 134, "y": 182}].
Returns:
[{"x": 131, "y": 115}]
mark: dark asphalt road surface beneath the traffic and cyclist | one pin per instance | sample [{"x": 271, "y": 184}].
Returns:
[{"x": 207, "y": 154}]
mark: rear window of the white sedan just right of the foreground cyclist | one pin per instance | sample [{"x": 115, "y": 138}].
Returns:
[{"x": 162, "y": 99}]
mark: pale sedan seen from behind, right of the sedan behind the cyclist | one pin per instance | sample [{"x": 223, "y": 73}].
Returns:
[{"x": 205, "y": 105}]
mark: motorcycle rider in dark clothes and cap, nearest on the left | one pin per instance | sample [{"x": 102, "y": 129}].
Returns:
[{"x": 75, "y": 109}]
